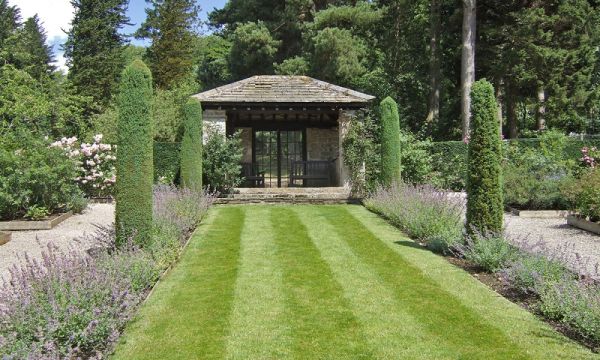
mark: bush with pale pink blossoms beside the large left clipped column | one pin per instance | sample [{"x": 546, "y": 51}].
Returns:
[{"x": 96, "y": 163}]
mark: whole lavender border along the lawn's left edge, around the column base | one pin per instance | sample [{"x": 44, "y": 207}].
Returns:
[{"x": 74, "y": 305}]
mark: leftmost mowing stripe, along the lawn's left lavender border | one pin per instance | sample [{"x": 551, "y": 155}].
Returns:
[{"x": 187, "y": 317}]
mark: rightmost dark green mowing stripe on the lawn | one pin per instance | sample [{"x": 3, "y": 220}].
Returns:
[{"x": 442, "y": 313}]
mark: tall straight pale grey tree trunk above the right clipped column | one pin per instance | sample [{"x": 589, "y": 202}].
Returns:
[{"x": 468, "y": 62}]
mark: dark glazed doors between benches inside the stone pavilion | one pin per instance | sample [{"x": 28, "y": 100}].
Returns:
[{"x": 274, "y": 151}]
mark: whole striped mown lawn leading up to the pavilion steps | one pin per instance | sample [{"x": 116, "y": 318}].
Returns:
[{"x": 326, "y": 282}]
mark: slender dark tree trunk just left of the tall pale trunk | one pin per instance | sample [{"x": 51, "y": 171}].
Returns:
[{"x": 434, "y": 65}]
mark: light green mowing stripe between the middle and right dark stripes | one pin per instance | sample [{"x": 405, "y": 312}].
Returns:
[{"x": 391, "y": 331}]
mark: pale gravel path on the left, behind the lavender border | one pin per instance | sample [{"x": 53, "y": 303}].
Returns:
[{"x": 71, "y": 232}]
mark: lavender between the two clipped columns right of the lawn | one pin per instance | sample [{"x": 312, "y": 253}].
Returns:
[{"x": 423, "y": 212}]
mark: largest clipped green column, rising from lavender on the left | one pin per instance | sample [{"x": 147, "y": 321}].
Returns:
[{"x": 134, "y": 158}]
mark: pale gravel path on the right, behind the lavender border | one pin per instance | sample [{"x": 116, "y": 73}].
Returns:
[{"x": 555, "y": 233}]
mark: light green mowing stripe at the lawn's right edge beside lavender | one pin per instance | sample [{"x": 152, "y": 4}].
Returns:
[{"x": 533, "y": 336}]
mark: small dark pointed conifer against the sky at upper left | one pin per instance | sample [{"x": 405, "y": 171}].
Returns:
[{"x": 32, "y": 41}]
